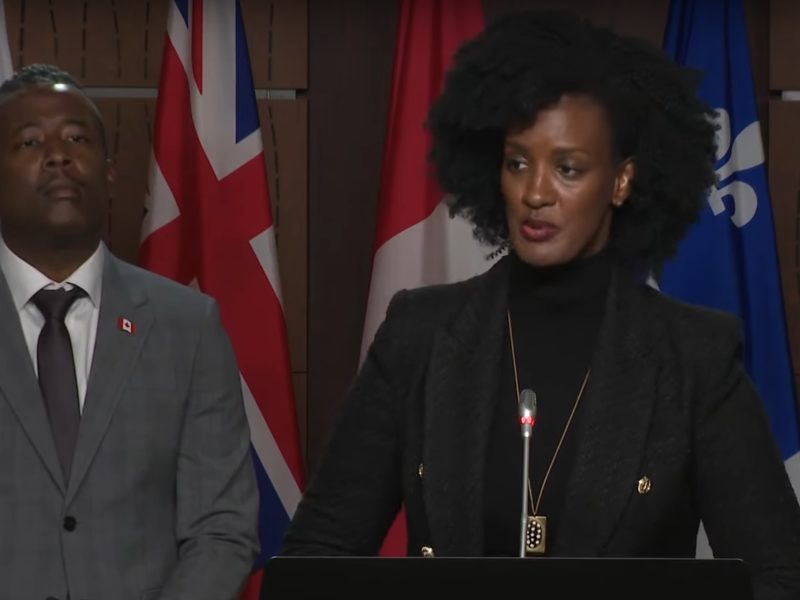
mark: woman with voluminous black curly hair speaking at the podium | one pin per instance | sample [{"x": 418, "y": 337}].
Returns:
[{"x": 587, "y": 155}]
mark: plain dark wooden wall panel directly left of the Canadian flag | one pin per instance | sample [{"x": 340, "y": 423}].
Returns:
[{"x": 351, "y": 48}]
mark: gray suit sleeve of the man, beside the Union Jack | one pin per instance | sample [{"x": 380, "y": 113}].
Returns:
[{"x": 216, "y": 493}]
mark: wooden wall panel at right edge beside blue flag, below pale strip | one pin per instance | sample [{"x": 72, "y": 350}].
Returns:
[{"x": 784, "y": 183}]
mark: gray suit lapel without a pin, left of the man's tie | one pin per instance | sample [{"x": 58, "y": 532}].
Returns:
[{"x": 20, "y": 387}]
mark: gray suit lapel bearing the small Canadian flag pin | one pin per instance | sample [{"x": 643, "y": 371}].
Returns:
[{"x": 115, "y": 355}]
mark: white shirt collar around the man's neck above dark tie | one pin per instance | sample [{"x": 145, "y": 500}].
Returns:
[{"x": 24, "y": 280}]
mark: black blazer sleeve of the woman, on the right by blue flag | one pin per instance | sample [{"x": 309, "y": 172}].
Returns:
[{"x": 747, "y": 504}]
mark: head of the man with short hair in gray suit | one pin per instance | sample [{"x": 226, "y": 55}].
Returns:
[{"x": 54, "y": 173}]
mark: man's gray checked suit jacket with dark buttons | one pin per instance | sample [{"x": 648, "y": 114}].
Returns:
[{"x": 161, "y": 501}]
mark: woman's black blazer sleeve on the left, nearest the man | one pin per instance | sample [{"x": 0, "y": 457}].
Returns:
[{"x": 355, "y": 492}]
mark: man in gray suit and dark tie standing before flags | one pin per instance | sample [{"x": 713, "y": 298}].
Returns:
[{"x": 125, "y": 469}]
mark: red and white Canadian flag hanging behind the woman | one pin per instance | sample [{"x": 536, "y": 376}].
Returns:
[{"x": 416, "y": 241}]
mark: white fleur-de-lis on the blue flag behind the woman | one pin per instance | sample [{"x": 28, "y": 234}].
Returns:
[{"x": 746, "y": 153}]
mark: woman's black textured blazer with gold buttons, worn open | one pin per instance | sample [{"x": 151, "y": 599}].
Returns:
[{"x": 668, "y": 399}]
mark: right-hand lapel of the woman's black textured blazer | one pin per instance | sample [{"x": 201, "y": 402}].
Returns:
[{"x": 613, "y": 429}]
